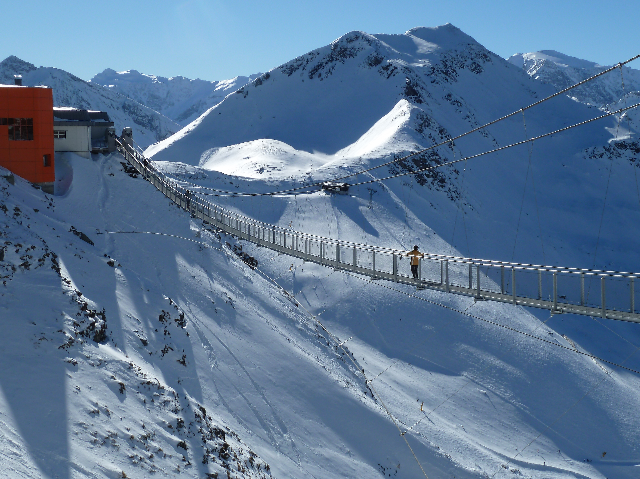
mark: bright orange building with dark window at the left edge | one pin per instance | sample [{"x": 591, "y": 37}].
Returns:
[{"x": 26, "y": 133}]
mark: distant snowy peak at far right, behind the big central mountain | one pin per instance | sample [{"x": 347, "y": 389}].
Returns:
[{"x": 562, "y": 71}]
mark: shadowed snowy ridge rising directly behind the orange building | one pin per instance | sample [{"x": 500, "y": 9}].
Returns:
[{"x": 148, "y": 125}]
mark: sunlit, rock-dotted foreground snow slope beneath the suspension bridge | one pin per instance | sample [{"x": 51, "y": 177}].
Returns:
[{"x": 200, "y": 350}]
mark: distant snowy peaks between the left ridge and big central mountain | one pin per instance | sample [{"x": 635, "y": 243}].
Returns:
[{"x": 179, "y": 98}]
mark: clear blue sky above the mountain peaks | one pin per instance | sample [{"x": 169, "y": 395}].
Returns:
[{"x": 220, "y": 39}]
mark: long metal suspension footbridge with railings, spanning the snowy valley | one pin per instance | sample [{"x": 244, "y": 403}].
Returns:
[{"x": 607, "y": 294}]
